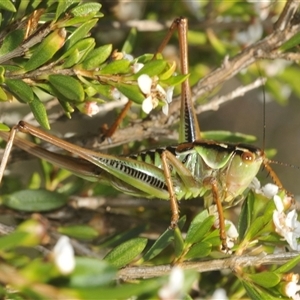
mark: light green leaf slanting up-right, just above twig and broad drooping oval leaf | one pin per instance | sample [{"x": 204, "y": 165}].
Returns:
[{"x": 96, "y": 57}]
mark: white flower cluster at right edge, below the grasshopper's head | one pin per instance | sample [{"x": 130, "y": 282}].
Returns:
[{"x": 286, "y": 225}]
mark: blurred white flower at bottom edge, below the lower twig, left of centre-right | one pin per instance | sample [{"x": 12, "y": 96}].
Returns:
[{"x": 172, "y": 290}]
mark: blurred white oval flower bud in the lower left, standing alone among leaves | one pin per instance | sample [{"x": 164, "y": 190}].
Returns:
[{"x": 63, "y": 254}]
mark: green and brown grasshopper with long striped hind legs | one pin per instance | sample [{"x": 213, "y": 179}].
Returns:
[{"x": 218, "y": 172}]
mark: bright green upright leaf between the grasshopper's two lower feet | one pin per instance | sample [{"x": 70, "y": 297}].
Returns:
[{"x": 199, "y": 227}]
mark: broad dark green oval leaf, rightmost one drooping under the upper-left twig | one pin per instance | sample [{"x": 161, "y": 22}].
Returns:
[{"x": 68, "y": 86}]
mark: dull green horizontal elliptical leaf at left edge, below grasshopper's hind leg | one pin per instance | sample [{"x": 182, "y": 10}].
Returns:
[{"x": 34, "y": 200}]
